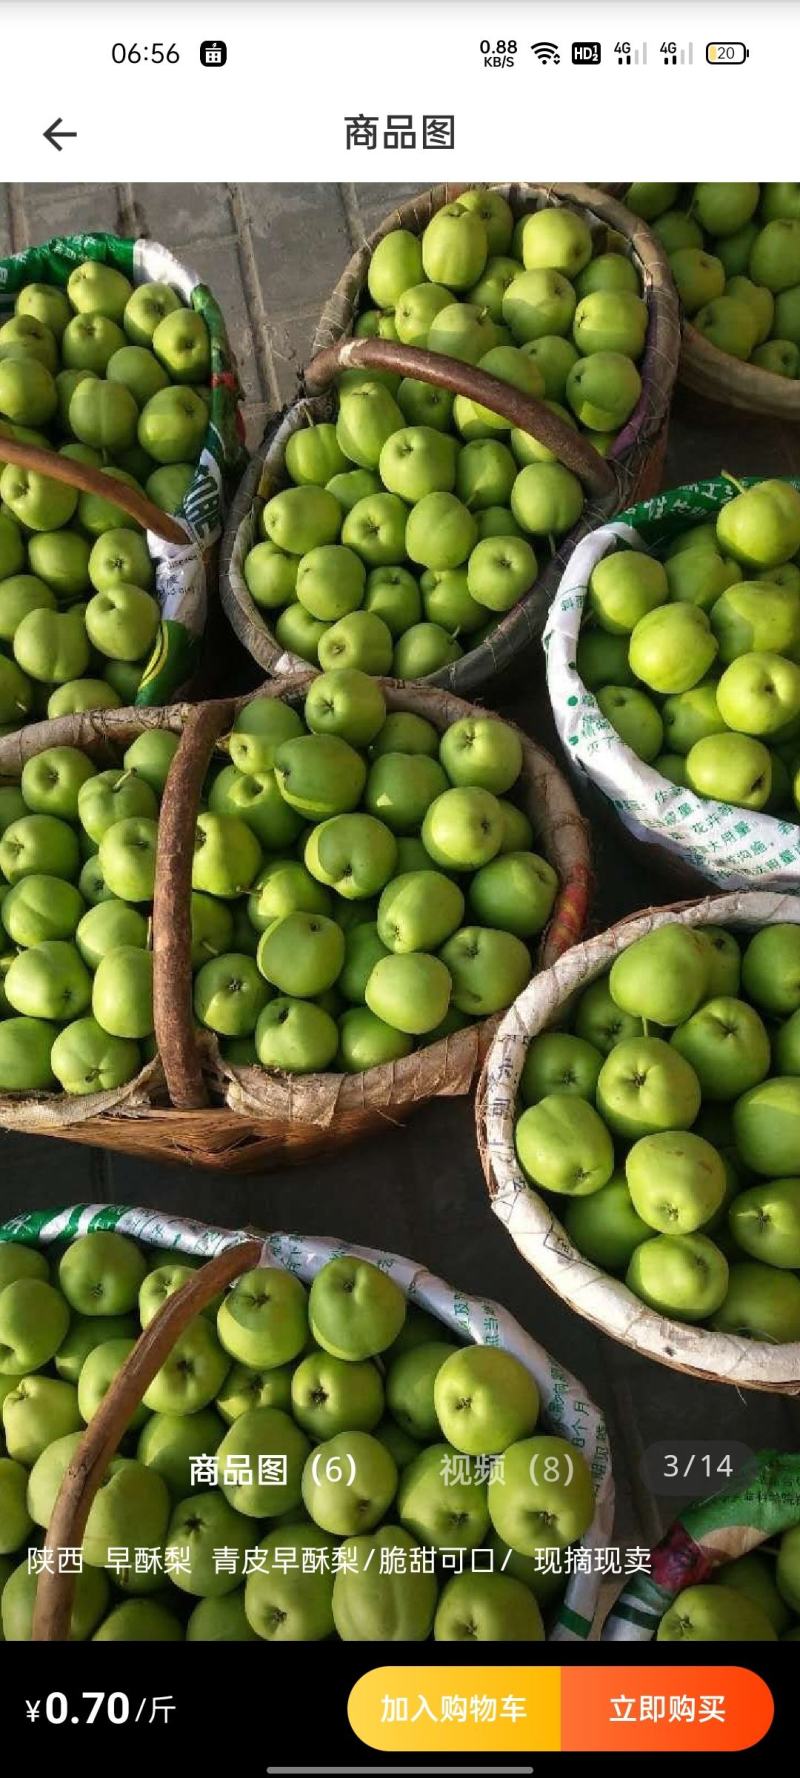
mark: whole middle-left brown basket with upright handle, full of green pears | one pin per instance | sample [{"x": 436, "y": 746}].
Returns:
[{"x": 252, "y": 931}]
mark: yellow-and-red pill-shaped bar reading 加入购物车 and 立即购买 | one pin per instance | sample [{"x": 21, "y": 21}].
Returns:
[{"x": 529, "y": 1710}]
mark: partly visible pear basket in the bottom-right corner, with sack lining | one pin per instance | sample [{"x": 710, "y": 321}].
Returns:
[{"x": 728, "y": 1569}]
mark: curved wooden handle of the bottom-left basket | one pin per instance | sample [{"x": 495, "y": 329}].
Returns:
[{"x": 54, "y": 1596}]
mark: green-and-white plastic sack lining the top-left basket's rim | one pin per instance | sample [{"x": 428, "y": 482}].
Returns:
[{"x": 184, "y": 573}]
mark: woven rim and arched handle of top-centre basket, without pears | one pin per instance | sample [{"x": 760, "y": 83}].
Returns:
[{"x": 632, "y": 472}]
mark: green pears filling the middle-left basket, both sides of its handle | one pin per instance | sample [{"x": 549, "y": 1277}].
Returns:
[{"x": 360, "y": 885}]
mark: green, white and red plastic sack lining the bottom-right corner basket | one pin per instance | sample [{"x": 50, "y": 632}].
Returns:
[{"x": 764, "y": 1503}]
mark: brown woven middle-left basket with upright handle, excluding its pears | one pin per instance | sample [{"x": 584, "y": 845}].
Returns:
[{"x": 195, "y": 1109}]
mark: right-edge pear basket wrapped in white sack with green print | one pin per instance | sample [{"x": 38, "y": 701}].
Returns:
[{"x": 673, "y": 669}]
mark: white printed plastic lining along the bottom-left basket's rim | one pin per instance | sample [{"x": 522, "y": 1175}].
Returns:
[{"x": 566, "y": 1407}]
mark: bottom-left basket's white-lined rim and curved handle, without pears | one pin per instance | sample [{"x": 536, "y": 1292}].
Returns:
[{"x": 566, "y": 1407}]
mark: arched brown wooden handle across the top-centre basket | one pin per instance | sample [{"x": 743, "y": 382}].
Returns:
[{"x": 524, "y": 412}]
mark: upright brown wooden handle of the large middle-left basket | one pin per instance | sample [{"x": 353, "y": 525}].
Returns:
[{"x": 173, "y": 906}]
